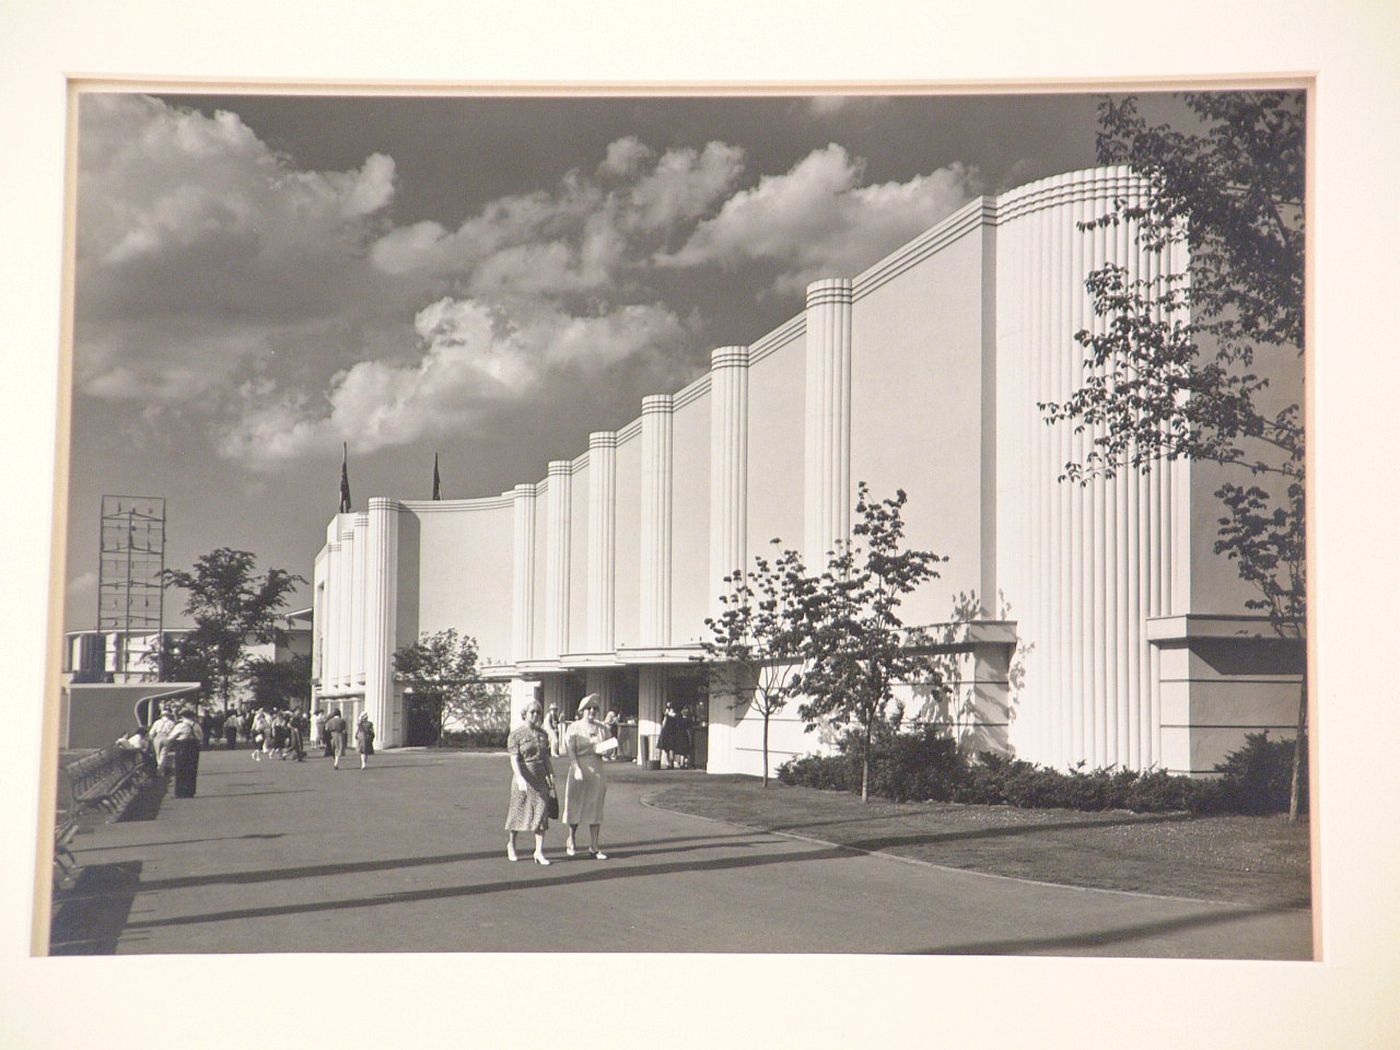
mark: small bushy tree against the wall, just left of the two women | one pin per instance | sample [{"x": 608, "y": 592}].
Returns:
[{"x": 443, "y": 682}]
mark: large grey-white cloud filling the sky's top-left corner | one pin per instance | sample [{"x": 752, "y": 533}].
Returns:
[{"x": 198, "y": 246}]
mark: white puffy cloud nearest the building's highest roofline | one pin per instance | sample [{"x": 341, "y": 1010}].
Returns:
[{"x": 818, "y": 220}]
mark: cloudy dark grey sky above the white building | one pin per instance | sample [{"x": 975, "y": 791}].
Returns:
[{"x": 261, "y": 279}]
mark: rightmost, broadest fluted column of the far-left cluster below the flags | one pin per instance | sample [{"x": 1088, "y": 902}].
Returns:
[{"x": 381, "y": 617}]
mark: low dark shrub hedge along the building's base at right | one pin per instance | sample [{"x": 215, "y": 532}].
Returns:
[{"x": 927, "y": 766}]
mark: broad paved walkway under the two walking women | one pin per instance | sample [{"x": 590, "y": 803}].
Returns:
[{"x": 409, "y": 856}]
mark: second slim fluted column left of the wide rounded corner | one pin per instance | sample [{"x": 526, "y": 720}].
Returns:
[{"x": 729, "y": 465}]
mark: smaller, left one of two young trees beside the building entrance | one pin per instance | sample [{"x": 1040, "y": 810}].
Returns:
[{"x": 755, "y": 643}]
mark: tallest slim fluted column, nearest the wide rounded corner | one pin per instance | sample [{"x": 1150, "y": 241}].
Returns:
[{"x": 828, "y": 419}]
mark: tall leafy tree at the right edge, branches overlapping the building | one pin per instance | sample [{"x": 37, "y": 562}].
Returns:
[{"x": 1172, "y": 369}]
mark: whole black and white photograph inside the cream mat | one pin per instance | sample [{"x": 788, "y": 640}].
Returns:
[{"x": 775, "y": 516}]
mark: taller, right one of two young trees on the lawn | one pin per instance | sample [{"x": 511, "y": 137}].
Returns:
[{"x": 855, "y": 646}]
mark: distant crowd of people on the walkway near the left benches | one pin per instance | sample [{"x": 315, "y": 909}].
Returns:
[{"x": 174, "y": 740}]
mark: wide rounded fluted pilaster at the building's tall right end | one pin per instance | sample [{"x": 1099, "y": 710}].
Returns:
[{"x": 1087, "y": 565}]
